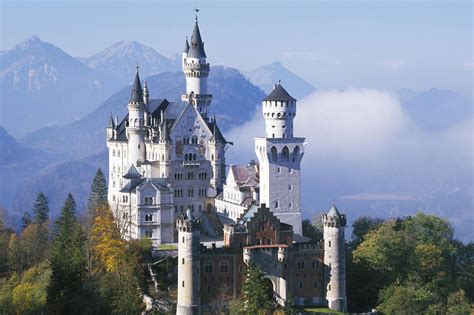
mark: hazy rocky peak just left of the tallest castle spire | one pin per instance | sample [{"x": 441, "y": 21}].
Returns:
[{"x": 120, "y": 59}]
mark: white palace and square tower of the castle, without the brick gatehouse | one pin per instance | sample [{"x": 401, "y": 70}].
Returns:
[{"x": 165, "y": 158}]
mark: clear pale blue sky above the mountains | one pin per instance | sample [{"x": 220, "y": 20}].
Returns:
[{"x": 334, "y": 45}]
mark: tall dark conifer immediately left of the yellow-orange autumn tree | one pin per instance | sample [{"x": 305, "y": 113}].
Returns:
[{"x": 68, "y": 262}]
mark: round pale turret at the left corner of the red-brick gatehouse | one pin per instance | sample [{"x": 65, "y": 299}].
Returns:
[{"x": 189, "y": 277}]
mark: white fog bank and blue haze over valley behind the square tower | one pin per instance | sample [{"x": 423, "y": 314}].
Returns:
[{"x": 366, "y": 155}]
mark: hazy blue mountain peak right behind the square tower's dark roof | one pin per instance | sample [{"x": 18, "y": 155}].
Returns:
[{"x": 266, "y": 76}]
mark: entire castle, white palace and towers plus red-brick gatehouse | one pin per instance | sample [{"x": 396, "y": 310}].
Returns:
[{"x": 167, "y": 178}]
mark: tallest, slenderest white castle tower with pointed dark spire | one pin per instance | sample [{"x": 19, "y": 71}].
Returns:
[{"x": 196, "y": 71}]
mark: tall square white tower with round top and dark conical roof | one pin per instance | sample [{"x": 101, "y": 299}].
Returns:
[{"x": 279, "y": 155}]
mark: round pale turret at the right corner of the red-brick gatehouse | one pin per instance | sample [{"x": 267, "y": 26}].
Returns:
[{"x": 335, "y": 259}]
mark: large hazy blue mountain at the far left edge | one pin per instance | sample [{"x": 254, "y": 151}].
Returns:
[{"x": 42, "y": 85}]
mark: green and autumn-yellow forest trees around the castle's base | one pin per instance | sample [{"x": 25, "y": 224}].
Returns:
[{"x": 79, "y": 264}]
